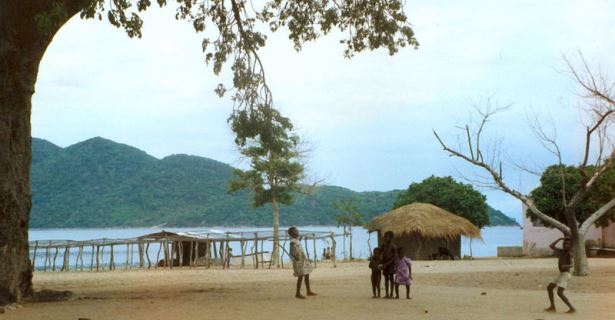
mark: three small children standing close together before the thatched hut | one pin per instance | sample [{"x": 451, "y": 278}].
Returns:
[{"x": 389, "y": 260}]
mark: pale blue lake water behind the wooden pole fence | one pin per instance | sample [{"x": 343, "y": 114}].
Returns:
[{"x": 493, "y": 237}]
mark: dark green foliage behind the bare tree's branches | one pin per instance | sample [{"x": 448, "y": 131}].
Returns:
[{"x": 549, "y": 196}]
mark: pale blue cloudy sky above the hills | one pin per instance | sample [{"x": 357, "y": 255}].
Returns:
[{"x": 368, "y": 120}]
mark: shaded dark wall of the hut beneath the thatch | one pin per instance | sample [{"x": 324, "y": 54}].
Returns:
[{"x": 420, "y": 248}]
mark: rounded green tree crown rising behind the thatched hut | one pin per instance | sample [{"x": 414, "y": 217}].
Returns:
[{"x": 446, "y": 193}]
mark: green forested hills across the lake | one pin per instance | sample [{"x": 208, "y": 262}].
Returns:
[{"x": 101, "y": 183}]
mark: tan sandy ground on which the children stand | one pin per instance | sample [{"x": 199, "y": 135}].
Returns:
[{"x": 514, "y": 289}]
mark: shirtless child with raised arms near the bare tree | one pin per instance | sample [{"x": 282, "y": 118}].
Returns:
[{"x": 564, "y": 264}]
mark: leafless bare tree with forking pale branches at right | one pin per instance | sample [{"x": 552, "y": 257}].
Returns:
[{"x": 597, "y": 157}]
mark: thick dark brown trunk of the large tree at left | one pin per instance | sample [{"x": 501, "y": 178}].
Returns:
[{"x": 22, "y": 45}]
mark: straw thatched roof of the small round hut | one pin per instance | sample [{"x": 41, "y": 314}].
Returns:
[{"x": 425, "y": 219}]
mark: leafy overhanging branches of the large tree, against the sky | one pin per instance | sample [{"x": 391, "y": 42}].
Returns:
[{"x": 235, "y": 30}]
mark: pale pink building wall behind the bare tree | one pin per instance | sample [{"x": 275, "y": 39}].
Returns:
[{"x": 536, "y": 239}]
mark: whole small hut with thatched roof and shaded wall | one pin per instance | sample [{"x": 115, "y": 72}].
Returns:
[{"x": 422, "y": 229}]
